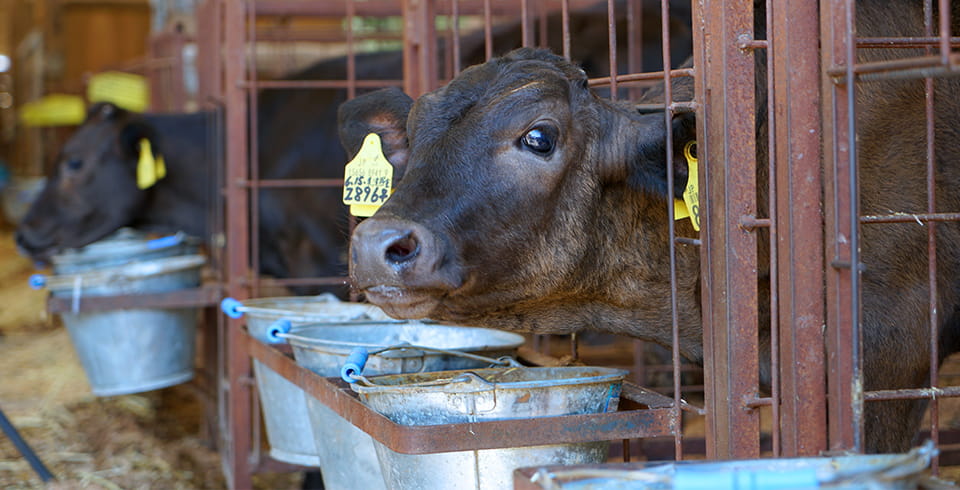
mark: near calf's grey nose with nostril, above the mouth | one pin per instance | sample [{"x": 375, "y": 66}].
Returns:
[{"x": 395, "y": 252}]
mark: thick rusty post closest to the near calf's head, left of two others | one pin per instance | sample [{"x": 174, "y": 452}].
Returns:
[{"x": 725, "y": 88}]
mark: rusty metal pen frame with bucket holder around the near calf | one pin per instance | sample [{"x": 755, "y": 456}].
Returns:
[{"x": 812, "y": 280}]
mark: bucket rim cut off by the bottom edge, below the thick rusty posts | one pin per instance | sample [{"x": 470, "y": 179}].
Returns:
[{"x": 875, "y": 472}]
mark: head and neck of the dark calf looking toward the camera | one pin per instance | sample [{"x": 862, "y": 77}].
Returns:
[{"x": 523, "y": 193}]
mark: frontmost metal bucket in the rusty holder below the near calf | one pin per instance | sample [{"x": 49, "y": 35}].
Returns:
[{"x": 487, "y": 394}]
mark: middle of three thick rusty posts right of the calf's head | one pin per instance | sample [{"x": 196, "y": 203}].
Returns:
[{"x": 796, "y": 232}]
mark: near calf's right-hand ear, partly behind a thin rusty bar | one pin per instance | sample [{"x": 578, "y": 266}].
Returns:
[{"x": 646, "y": 143}]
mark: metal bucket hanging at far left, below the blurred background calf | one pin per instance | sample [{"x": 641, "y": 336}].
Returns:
[{"x": 132, "y": 350}]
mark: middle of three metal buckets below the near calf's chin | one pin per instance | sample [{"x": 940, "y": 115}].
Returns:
[{"x": 347, "y": 455}]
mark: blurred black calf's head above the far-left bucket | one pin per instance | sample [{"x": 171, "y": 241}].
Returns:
[{"x": 93, "y": 190}]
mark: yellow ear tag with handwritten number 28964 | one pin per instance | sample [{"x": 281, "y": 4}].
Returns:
[{"x": 367, "y": 178}]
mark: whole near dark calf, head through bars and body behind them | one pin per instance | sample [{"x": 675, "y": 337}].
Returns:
[{"x": 531, "y": 204}]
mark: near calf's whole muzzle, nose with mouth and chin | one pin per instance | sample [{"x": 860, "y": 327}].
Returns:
[{"x": 401, "y": 266}]
